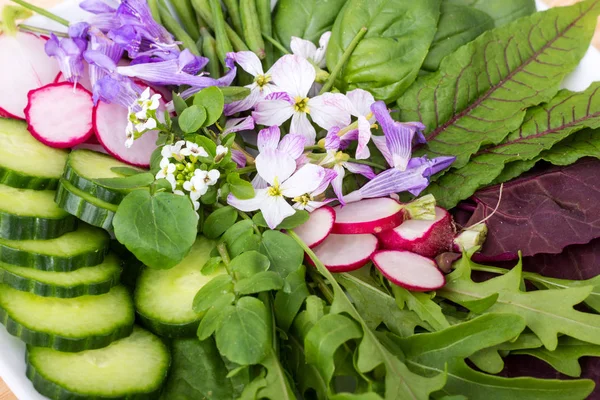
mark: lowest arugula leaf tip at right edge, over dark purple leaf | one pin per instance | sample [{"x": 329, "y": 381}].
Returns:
[{"x": 565, "y": 359}]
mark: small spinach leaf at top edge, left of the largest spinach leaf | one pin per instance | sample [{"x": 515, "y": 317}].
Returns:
[{"x": 307, "y": 19}]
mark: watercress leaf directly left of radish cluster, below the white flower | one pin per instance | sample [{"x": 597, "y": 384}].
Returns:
[{"x": 283, "y": 252}]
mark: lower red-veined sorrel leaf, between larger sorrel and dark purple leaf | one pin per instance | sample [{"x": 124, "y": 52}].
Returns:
[{"x": 543, "y": 126}]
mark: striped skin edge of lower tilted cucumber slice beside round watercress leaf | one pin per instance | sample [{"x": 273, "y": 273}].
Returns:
[{"x": 84, "y": 210}]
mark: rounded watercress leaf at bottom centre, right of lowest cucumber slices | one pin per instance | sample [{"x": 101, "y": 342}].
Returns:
[{"x": 243, "y": 336}]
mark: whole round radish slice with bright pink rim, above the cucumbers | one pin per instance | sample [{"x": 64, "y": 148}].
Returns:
[{"x": 60, "y": 115}]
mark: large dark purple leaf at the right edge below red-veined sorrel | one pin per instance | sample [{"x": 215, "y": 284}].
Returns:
[{"x": 542, "y": 212}]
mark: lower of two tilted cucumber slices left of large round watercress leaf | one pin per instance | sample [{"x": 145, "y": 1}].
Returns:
[{"x": 85, "y": 206}]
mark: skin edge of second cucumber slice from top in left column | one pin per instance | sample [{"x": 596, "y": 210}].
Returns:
[{"x": 18, "y": 227}]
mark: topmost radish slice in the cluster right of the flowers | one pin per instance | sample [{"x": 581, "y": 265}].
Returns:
[{"x": 368, "y": 216}]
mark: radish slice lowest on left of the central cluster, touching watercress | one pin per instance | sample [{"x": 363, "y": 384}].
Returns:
[{"x": 343, "y": 253}]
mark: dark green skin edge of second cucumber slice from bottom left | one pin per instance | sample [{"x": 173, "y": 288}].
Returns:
[{"x": 60, "y": 343}]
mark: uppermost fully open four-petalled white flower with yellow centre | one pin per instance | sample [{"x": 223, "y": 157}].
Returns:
[{"x": 294, "y": 76}]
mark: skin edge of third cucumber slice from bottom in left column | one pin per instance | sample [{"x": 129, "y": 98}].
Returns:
[{"x": 46, "y": 290}]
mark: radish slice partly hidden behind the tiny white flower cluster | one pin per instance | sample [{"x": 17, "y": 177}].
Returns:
[{"x": 110, "y": 123}]
